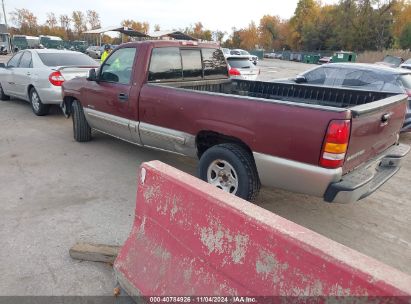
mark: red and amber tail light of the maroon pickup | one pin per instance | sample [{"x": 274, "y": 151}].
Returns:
[{"x": 335, "y": 144}]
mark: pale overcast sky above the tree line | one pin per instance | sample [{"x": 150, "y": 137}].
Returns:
[{"x": 176, "y": 14}]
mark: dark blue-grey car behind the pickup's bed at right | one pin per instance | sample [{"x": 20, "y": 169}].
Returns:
[{"x": 370, "y": 77}]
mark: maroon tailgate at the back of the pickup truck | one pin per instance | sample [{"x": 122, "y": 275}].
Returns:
[{"x": 375, "y": 127}]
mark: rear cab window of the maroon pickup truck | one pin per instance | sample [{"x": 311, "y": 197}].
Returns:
[{"x": 175, "y": 64}]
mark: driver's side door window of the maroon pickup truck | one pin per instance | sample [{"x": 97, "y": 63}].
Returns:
[{"x": 118, "y": 67}]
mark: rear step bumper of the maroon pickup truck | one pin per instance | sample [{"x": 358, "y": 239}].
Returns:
[{"x": 363, "y": 181}]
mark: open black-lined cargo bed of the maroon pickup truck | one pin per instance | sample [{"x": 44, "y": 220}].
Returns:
[{"x": 297, "y": 93}]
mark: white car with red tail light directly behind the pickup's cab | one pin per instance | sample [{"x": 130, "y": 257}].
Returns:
[{"x": 240, "y": 67}]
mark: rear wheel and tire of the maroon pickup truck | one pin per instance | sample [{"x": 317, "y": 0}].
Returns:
[{"x": 236, "y": 166}]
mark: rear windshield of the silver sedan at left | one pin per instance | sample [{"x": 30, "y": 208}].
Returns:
[{"x": 66, "y": 59}]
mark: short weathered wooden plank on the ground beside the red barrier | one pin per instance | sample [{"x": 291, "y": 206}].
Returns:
[{"x": 94, "y": 252}]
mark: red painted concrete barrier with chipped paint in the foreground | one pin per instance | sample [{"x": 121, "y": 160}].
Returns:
[{"x": 190, "y": 238}]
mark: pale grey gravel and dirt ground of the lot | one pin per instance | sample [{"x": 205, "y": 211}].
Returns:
[{"x": 55, "y": 192}]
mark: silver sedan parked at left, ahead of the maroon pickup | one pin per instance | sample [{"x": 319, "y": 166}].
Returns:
[{"x": 37, "y": 75}]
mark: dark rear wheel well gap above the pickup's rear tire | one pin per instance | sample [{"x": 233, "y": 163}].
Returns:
[{"x": 207, "y": 139}]
